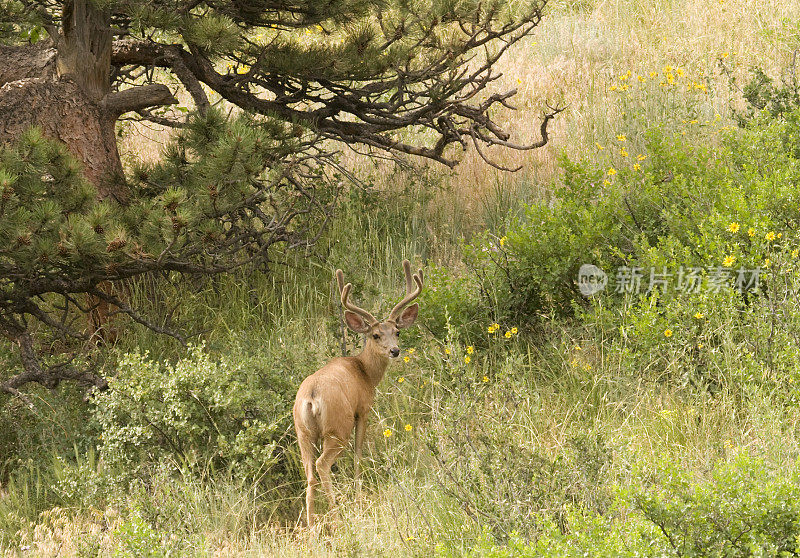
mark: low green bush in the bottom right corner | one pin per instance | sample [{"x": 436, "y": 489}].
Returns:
[{"x": 744, "y": 508}]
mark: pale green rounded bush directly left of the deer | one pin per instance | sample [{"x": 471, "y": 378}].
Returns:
[{"x": 200, "y": 413}]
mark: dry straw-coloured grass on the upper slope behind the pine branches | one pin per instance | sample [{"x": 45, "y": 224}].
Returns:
[{"x": 575, "y": 56}]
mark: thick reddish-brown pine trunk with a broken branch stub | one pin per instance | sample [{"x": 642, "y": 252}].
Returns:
[{"x": 64, "y": 88}]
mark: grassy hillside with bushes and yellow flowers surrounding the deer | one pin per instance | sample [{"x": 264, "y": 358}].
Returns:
[{"x": 523, "y": 420}]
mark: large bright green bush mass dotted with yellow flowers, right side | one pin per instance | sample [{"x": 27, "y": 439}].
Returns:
[{"x": 714, "y": 204}]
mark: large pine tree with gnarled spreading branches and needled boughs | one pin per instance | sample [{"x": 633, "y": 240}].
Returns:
[{"x": 398, "y": 77}]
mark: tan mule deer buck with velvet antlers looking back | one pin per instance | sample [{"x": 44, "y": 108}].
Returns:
[{"x": 339, "y": 396}]
